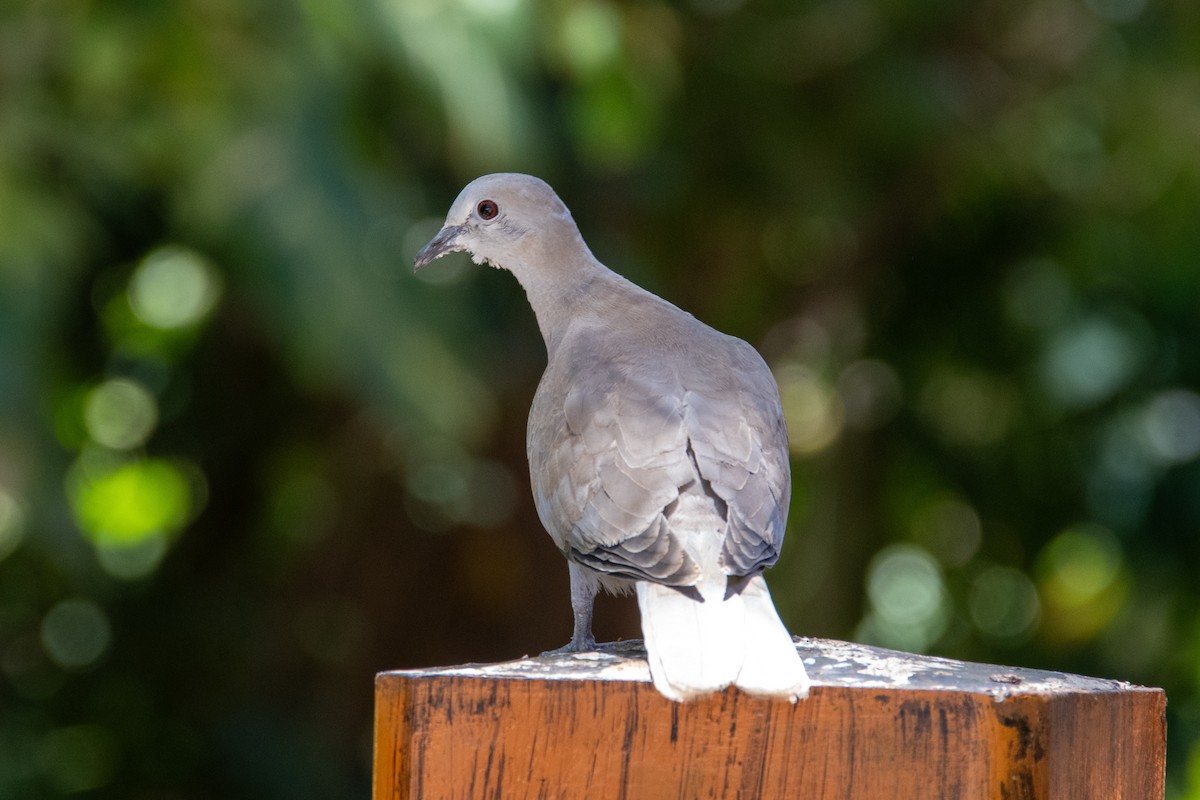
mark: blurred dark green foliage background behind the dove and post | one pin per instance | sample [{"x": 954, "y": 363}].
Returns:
[{"x": 248, "y": 459}]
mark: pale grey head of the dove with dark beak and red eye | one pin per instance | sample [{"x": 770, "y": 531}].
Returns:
[{"x": 503, "y": 219}]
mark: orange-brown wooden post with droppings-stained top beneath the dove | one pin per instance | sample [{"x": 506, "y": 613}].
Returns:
[{"x": 879, "y": 725}]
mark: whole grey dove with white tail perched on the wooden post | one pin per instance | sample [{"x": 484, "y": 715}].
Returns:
[{"x": 657, "y": 447}]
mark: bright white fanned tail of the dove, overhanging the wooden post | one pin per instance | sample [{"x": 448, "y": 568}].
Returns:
[{"x": 700, "y": 647}]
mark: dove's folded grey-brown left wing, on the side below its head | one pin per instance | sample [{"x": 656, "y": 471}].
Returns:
[{"x": 608, "y": 454}]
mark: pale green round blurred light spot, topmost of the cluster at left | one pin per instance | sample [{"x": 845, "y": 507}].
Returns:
[{"x": 173, "y": 287}]
